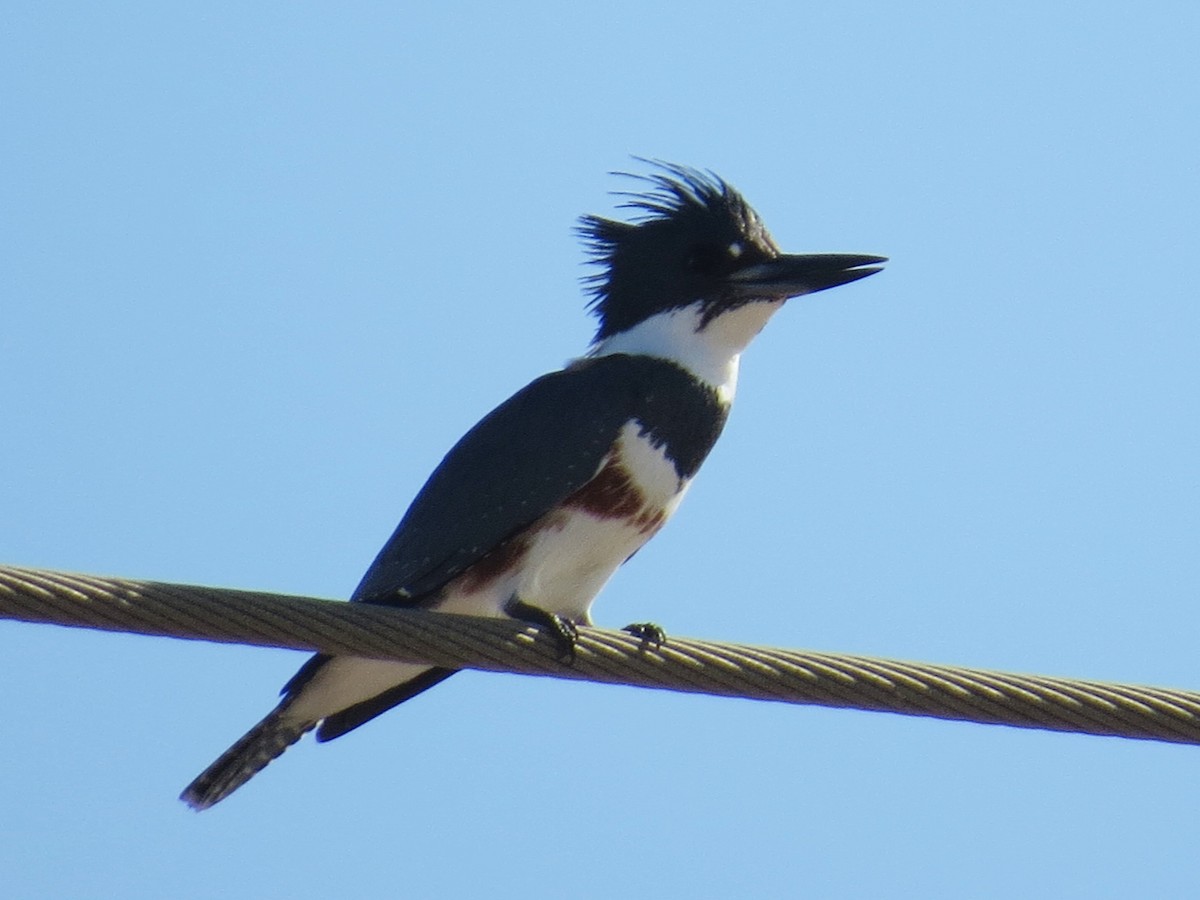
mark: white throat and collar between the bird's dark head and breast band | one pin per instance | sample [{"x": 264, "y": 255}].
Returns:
[{"x": 711, "y": 352}]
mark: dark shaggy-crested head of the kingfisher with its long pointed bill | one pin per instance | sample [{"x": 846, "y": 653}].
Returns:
[{"x": 694, "y": 239}]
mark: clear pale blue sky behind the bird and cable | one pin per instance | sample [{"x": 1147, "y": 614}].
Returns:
[{"x": 263, "y": 266}]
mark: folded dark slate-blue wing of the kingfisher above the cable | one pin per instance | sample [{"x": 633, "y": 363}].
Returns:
[{"x": 517, "y": 465}]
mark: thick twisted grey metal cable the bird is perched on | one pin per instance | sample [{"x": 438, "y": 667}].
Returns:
[{"x": 611, "y": 657}]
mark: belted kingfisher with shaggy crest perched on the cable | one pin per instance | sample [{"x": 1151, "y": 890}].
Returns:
[{"x": 536, "y": 508}]
